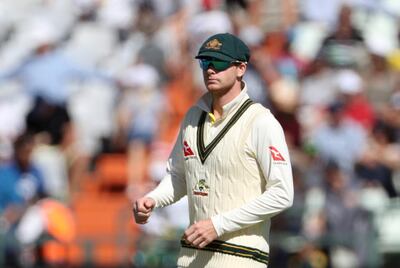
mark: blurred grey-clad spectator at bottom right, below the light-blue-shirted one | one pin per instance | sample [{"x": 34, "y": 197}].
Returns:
[{"x": 347, "y": 225}]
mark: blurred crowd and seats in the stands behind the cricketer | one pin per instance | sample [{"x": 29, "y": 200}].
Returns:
[{"x": 92, "y": 93}]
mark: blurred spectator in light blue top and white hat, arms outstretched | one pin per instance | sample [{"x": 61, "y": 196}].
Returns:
[{"x": 45, "y": 76}]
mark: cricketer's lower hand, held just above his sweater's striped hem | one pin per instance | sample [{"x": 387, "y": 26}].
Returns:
[{"x": 201, "y": 233}]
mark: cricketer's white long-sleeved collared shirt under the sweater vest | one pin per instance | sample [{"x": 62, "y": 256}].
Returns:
[{"x": 266, "y": 143}]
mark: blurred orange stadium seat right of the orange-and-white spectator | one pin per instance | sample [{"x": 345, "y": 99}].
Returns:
[{"x": 106, "y": 234}]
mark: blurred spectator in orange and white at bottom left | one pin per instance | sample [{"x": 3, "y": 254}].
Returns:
[{"x": 47, "y": 229}]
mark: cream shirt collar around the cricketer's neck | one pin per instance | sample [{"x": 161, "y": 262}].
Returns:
[{"x": 205, "y": 102}]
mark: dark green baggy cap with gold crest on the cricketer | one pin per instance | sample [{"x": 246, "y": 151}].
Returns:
[{"x": 224, "y": 46}]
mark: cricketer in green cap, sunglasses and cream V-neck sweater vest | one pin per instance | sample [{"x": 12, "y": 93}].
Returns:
[{"x": 232, "y": 161}]
